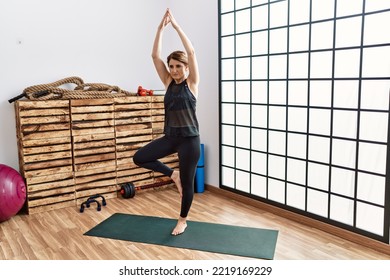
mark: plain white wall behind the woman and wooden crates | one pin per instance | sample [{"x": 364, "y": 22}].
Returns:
[{"x": 107, "y": 41}]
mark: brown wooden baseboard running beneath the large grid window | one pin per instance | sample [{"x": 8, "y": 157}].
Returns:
[{"x": 342, "y": 233}]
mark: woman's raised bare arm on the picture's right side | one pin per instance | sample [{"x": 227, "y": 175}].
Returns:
[{"x": 193, "y": 77}]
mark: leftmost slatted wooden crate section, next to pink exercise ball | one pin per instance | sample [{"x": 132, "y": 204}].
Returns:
[{"x": 45, "y": 153}]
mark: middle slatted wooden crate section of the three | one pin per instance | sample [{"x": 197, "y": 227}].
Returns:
[{"x": 94, "y": 152}]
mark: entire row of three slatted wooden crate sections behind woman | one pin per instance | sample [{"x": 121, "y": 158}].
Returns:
[{"x": 72, "y": 149}]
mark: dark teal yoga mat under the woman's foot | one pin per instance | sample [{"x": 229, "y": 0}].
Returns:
[{"x": 210, "y": 237}]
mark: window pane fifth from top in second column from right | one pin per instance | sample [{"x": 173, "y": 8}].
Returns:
[{"x": 345, "y": 123}]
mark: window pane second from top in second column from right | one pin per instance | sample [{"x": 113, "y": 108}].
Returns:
[{"x": 348, "y": 32}]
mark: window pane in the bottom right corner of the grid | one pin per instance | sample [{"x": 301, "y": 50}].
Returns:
[{"x": 370, "y": 218}]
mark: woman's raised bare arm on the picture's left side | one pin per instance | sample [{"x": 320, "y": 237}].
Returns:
[{"x": 159, "y": 64}]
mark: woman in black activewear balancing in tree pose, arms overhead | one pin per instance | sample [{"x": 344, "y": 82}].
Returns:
[{"x": 181, "y": 129}]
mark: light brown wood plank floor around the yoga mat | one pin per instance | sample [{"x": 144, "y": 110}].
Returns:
[{"x": 58, "y": 235}]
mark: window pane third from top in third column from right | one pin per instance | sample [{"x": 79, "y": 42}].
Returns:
[{"x": 321, "y": 65}]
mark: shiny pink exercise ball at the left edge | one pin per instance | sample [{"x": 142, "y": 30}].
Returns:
[{"x": 12, "y": 192}]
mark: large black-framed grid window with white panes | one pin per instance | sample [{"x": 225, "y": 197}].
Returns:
[{"x": 304, "y": 108}]
